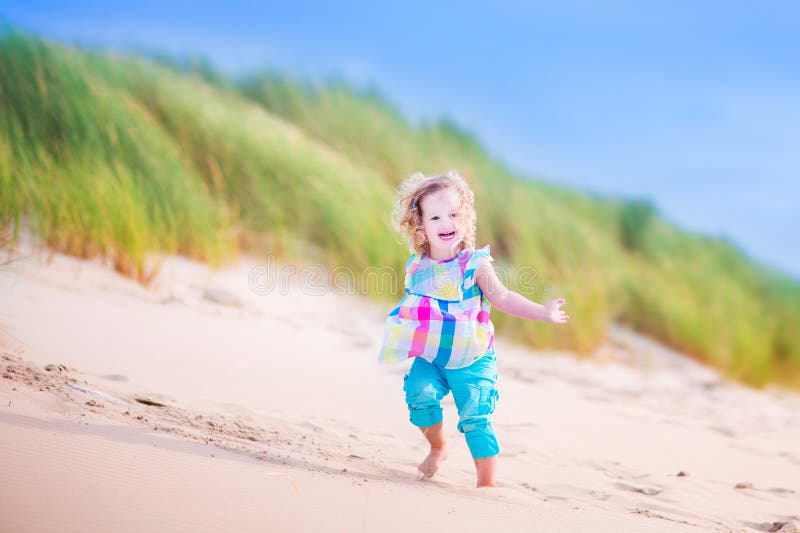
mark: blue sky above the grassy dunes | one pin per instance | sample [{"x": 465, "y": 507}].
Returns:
[{"x": 695, "y": 105}]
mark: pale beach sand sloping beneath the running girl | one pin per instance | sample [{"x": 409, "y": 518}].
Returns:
[{"x": 269, "y": 412}]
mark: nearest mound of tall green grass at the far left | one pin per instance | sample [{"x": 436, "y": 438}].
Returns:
[{"x": 91, "y": 170}]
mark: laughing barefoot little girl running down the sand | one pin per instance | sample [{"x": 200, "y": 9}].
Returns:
[{"x": 443, "y": 319}]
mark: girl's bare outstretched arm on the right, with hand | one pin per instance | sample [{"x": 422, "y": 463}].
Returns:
[{"x": 514, "y": 303}]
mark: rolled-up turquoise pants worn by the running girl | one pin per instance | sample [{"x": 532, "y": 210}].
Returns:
[{"x": 473, "y": 391}]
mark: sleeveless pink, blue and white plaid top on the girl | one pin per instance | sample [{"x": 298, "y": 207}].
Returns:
[{"x": 444, "y": 316}]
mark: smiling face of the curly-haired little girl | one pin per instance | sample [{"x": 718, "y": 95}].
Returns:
[{"x": 441, "y": 223}]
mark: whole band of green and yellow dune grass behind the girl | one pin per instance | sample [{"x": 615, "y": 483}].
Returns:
[{"x": 129, "y": 158}]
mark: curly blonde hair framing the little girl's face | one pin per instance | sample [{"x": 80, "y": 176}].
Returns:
[{"x": 407, "y": 212}]
